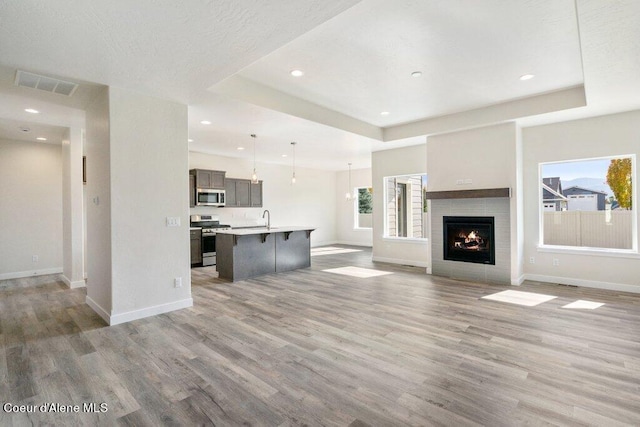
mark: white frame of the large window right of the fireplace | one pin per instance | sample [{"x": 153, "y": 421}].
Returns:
[{"x": 591, "y": 250}]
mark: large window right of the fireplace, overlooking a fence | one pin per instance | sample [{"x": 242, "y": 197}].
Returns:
[{"x": 588, "y": 203}]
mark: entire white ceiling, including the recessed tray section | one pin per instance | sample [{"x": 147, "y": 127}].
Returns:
[{"x": 230, "y": 62}]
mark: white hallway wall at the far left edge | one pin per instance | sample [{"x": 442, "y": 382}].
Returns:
[{"x": 30, "y": 208}]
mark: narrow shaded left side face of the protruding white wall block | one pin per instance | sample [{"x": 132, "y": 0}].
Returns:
[{"x": 98, "y": 206}]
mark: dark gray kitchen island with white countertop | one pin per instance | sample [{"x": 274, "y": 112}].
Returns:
[{"x": 246, "y": 253}]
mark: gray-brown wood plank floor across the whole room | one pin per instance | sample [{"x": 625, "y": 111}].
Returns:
[{"x": 315, "y": 348}]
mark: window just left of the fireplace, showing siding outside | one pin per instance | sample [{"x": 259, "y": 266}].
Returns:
[{"x": 406, "y": 207}]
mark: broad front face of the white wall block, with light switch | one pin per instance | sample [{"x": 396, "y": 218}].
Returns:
[{"x": 149, "y": 182}]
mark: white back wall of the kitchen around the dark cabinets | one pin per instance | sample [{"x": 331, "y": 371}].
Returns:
[{"x": 310, "y": 202}]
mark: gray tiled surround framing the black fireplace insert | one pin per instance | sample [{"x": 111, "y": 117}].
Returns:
[{"x": 497, "y": 207}]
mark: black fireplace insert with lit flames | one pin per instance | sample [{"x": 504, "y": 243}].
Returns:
[{"x": 469, "y": 239}]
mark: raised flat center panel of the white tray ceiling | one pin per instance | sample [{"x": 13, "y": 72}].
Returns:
[{"x": 360, "y": 62}]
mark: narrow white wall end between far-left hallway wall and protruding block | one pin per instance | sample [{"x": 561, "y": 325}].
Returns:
[{"x": 73, "y": 209}]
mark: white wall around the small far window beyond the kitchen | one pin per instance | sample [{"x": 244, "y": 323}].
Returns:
[{"x": 345, "y": 210}]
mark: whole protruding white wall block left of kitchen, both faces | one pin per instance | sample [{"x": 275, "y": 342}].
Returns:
[{"x": 137, "y": 166}]
